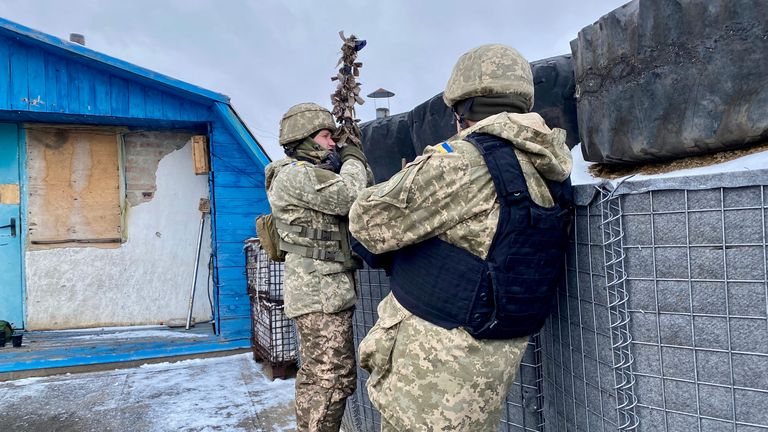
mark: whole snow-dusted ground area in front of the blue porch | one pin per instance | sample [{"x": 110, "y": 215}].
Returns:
[{"x": 213, "y": 394}]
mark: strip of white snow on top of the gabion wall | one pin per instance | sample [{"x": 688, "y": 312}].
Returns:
[{"x": 581, "y": 174}]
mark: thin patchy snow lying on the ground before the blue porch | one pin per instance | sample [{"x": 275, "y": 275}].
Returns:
[{"x": 213, "y": 394}]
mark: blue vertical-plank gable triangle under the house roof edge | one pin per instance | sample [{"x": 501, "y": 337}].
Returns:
[{"x": 39, "y": 80}]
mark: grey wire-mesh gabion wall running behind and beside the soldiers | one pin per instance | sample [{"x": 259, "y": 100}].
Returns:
[{"x": 661, "y": 325}]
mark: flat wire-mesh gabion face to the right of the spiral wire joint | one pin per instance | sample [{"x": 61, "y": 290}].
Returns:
[{"x": 697, "y": 266}]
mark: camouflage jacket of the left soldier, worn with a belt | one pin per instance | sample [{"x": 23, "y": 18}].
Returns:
[{"x": 301, "y": 194}]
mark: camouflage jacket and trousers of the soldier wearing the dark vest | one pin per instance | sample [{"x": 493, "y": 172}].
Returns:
[{"x": 424, "y": 377}]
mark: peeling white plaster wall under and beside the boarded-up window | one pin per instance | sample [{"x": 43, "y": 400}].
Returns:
[{"x": 146, "y": 280}]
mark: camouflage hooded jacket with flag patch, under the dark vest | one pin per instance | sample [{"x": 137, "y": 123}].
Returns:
[{"x": 452, "y": 194}]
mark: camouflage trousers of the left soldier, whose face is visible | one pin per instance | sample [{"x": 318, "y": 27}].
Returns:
[{"x": 327, "y": 375}]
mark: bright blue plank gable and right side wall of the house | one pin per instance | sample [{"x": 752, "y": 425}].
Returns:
[{"x": 45, "y": 79}]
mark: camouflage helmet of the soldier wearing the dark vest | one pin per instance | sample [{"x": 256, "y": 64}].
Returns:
[{"x": 492, "y": 69}]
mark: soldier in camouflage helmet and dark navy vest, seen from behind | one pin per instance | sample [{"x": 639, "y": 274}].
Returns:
[{"x": 473, "y": 233}]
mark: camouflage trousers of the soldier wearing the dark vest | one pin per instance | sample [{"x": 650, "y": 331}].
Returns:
[{"x": 427, "y": 378}]
